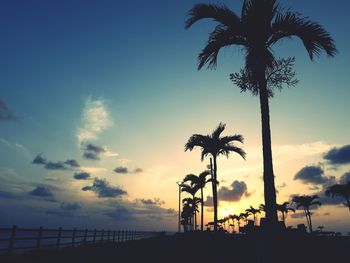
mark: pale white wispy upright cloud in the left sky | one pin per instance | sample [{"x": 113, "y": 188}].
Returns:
[{"x": 95, "y": 119}]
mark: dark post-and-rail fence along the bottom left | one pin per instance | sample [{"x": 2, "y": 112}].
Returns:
[{"x": 18, "y": 239}]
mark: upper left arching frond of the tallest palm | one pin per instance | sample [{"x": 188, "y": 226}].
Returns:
[{"x": 219, "y": 13}]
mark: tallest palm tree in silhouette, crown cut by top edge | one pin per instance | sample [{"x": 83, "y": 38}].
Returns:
[{"x": 261, "y": 25}]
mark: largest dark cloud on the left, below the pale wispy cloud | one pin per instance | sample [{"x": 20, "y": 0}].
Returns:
[{"x": 103, "y": 189}]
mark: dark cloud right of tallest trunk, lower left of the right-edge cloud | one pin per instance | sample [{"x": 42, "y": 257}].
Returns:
[{"x": 311, "y": 174}]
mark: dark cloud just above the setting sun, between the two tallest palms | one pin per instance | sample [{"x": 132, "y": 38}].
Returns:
[{"x": 233, "y": 193}]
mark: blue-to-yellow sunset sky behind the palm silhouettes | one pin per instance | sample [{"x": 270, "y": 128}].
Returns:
[{"x": 98, "y": 98}]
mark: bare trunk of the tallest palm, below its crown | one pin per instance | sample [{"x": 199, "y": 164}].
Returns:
[{"x": 269, "y": 180}]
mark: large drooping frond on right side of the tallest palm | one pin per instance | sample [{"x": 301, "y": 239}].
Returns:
[{"x": 314, "y": 37}]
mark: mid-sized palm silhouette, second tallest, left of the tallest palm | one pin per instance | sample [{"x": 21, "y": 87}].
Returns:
[{"x": 214, "y": 145}]
